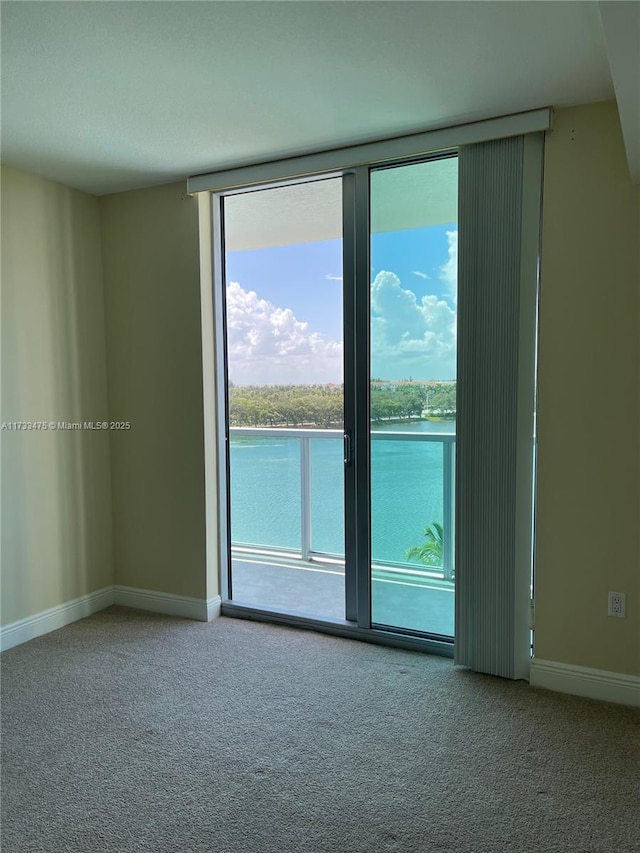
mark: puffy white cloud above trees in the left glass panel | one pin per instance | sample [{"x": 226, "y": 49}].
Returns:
[{"x": 269, "y": 345}]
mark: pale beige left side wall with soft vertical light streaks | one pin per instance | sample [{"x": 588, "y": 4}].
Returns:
[{"x": 56, "y": 497}]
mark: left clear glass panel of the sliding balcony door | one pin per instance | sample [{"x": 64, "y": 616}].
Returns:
[{"x": 284, "y": 352}]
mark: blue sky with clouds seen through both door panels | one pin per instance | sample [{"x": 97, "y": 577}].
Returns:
[{"x": 285, "y": 309}]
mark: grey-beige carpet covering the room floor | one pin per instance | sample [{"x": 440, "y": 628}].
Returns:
[{"x": 134, "y": 732}]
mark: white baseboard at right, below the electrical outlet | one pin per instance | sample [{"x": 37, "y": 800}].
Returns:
[{"x": 582, "y": 681}]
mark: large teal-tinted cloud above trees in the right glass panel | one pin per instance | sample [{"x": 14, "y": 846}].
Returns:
[{"x": 410, "y": 337}]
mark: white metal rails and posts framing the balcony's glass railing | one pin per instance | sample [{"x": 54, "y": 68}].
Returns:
[{"x": 305, "y": 437}]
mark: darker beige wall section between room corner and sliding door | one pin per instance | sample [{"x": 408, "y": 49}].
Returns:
[{"x": 152, "y": 294}]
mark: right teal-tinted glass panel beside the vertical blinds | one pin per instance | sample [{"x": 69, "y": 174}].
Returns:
[{"x": 412, "y": 394}]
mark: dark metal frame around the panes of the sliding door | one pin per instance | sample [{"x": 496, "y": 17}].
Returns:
[{"x": 357, "y": 428}]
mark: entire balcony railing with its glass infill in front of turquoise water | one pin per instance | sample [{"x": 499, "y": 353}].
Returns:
[{"x": 287, "y": 496}]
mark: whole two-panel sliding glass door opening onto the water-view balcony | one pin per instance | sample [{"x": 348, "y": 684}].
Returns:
[{"x": 340, "y": 352}]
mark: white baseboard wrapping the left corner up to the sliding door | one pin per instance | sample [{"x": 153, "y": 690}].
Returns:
[{"x": 203, "y": 610}]
